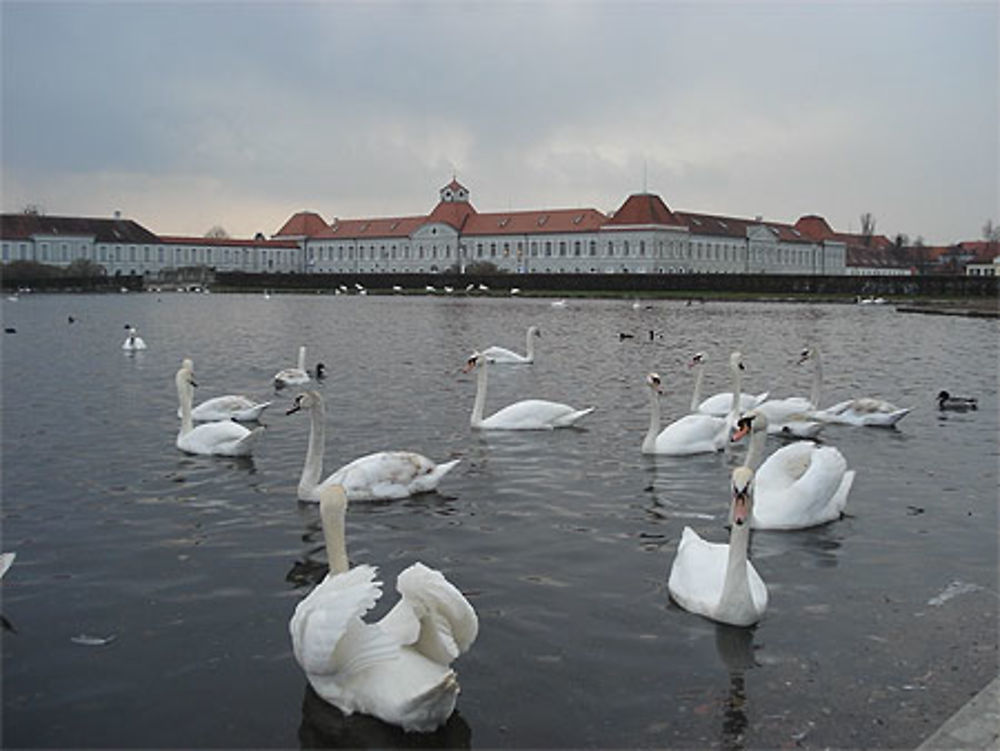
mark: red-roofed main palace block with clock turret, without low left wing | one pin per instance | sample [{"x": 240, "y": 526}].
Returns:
[{"x": 642, "y": 237}]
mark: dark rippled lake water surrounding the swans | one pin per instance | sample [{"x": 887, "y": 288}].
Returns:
[{"x": 152, "y": 590}]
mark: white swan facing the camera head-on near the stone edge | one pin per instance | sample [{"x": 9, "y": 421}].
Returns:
[{"x": 717, "y": 580}]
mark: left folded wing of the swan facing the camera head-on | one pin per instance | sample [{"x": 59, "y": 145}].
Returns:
[{"x": 698, "y": 573}]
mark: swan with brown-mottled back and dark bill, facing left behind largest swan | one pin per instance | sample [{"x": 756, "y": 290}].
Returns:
[{"x": 386, "y": 475}]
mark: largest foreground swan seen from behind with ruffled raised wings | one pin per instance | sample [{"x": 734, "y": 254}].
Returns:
[{"x": 397, "y": 669}]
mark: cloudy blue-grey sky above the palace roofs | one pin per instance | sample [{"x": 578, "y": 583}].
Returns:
[{"x": 187, "y": 115}]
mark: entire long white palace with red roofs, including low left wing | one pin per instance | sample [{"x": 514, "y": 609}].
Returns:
[{"x": 644, "y": 236}]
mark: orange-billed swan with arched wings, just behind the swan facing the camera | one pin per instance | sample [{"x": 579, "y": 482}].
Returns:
[{"x": 800, "y": 485}]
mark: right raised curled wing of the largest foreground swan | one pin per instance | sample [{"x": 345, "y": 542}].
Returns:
[{"x": 432, "y": 615}]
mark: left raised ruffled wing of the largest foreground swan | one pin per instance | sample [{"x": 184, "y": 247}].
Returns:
[{"x": 328, "y": 635}]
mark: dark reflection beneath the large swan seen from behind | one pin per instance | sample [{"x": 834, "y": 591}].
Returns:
[{"x": 325, "y": 726}]
